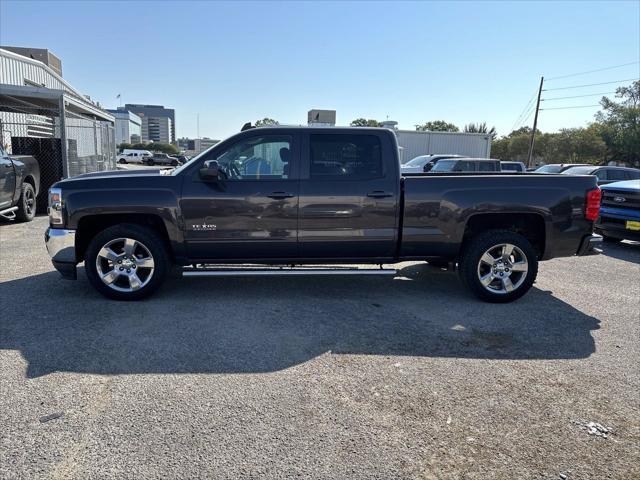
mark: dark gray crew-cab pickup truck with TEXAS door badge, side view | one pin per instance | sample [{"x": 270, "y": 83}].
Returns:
[{"x": 290, "y": 199}]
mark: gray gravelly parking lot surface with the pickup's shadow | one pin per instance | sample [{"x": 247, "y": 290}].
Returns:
[{"x": 341, "y": 377}]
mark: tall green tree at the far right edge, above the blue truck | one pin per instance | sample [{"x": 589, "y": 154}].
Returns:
[{"x": 618, "y": 124}]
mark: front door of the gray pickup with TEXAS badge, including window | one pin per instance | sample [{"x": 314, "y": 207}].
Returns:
[{"x": 252, "y": 211}]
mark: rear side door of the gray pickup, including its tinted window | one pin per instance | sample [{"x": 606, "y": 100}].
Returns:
[{"x": 348, "y": 205}]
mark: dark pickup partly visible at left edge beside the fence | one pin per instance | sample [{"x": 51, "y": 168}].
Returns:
[{"x": 19, "y": 186}]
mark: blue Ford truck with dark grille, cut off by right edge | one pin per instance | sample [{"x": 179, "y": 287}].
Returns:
[{"x": 620, "y": 211}]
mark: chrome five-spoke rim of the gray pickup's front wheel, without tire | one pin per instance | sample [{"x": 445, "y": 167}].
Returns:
[{"x": 125, "y": 264}]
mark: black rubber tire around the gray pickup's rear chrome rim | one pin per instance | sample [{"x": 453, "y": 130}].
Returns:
[{"x": 471, "y": 266}]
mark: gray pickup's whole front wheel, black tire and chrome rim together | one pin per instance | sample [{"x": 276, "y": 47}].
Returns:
[{"x": 126, "y": 262}]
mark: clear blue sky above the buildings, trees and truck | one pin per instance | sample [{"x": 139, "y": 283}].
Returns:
[{"x": 413, "y": 62}]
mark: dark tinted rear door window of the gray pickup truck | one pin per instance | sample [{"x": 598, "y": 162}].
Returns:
[{"x": 353, "y": 157}]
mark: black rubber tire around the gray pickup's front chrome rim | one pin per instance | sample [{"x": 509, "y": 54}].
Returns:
[{"x": 149, "y": 239}]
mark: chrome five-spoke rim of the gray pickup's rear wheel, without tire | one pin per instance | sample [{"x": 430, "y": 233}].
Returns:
[{"x": 502, "y": 268}]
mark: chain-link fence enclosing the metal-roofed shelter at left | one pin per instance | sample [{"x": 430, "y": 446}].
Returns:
[{"x": 36, "y": 131}]
